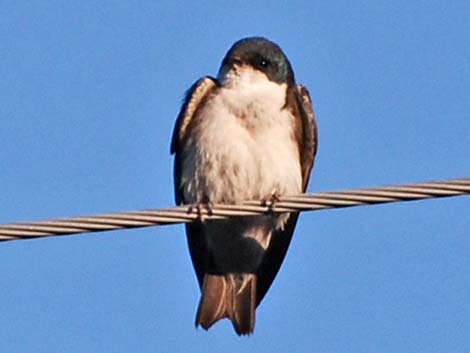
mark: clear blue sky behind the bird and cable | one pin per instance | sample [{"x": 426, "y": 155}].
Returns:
[{"x": 89, "y": 94}]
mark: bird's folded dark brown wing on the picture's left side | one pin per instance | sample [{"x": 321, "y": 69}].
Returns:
[{"x": 195, "y": 236}]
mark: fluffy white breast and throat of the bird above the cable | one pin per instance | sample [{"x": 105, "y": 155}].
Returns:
[{"x": 243, "y": 146}]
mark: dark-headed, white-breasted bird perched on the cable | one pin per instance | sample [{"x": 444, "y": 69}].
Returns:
[{"x": 248, "y": 134}]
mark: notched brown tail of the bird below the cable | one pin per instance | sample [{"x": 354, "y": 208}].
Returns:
[{"x": 231, "y": 296}]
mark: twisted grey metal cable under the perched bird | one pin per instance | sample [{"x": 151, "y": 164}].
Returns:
[{"x": 184, "y": 214}]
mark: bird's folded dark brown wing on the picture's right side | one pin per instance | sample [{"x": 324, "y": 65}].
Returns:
[{"x": 307, "y": 137}]
